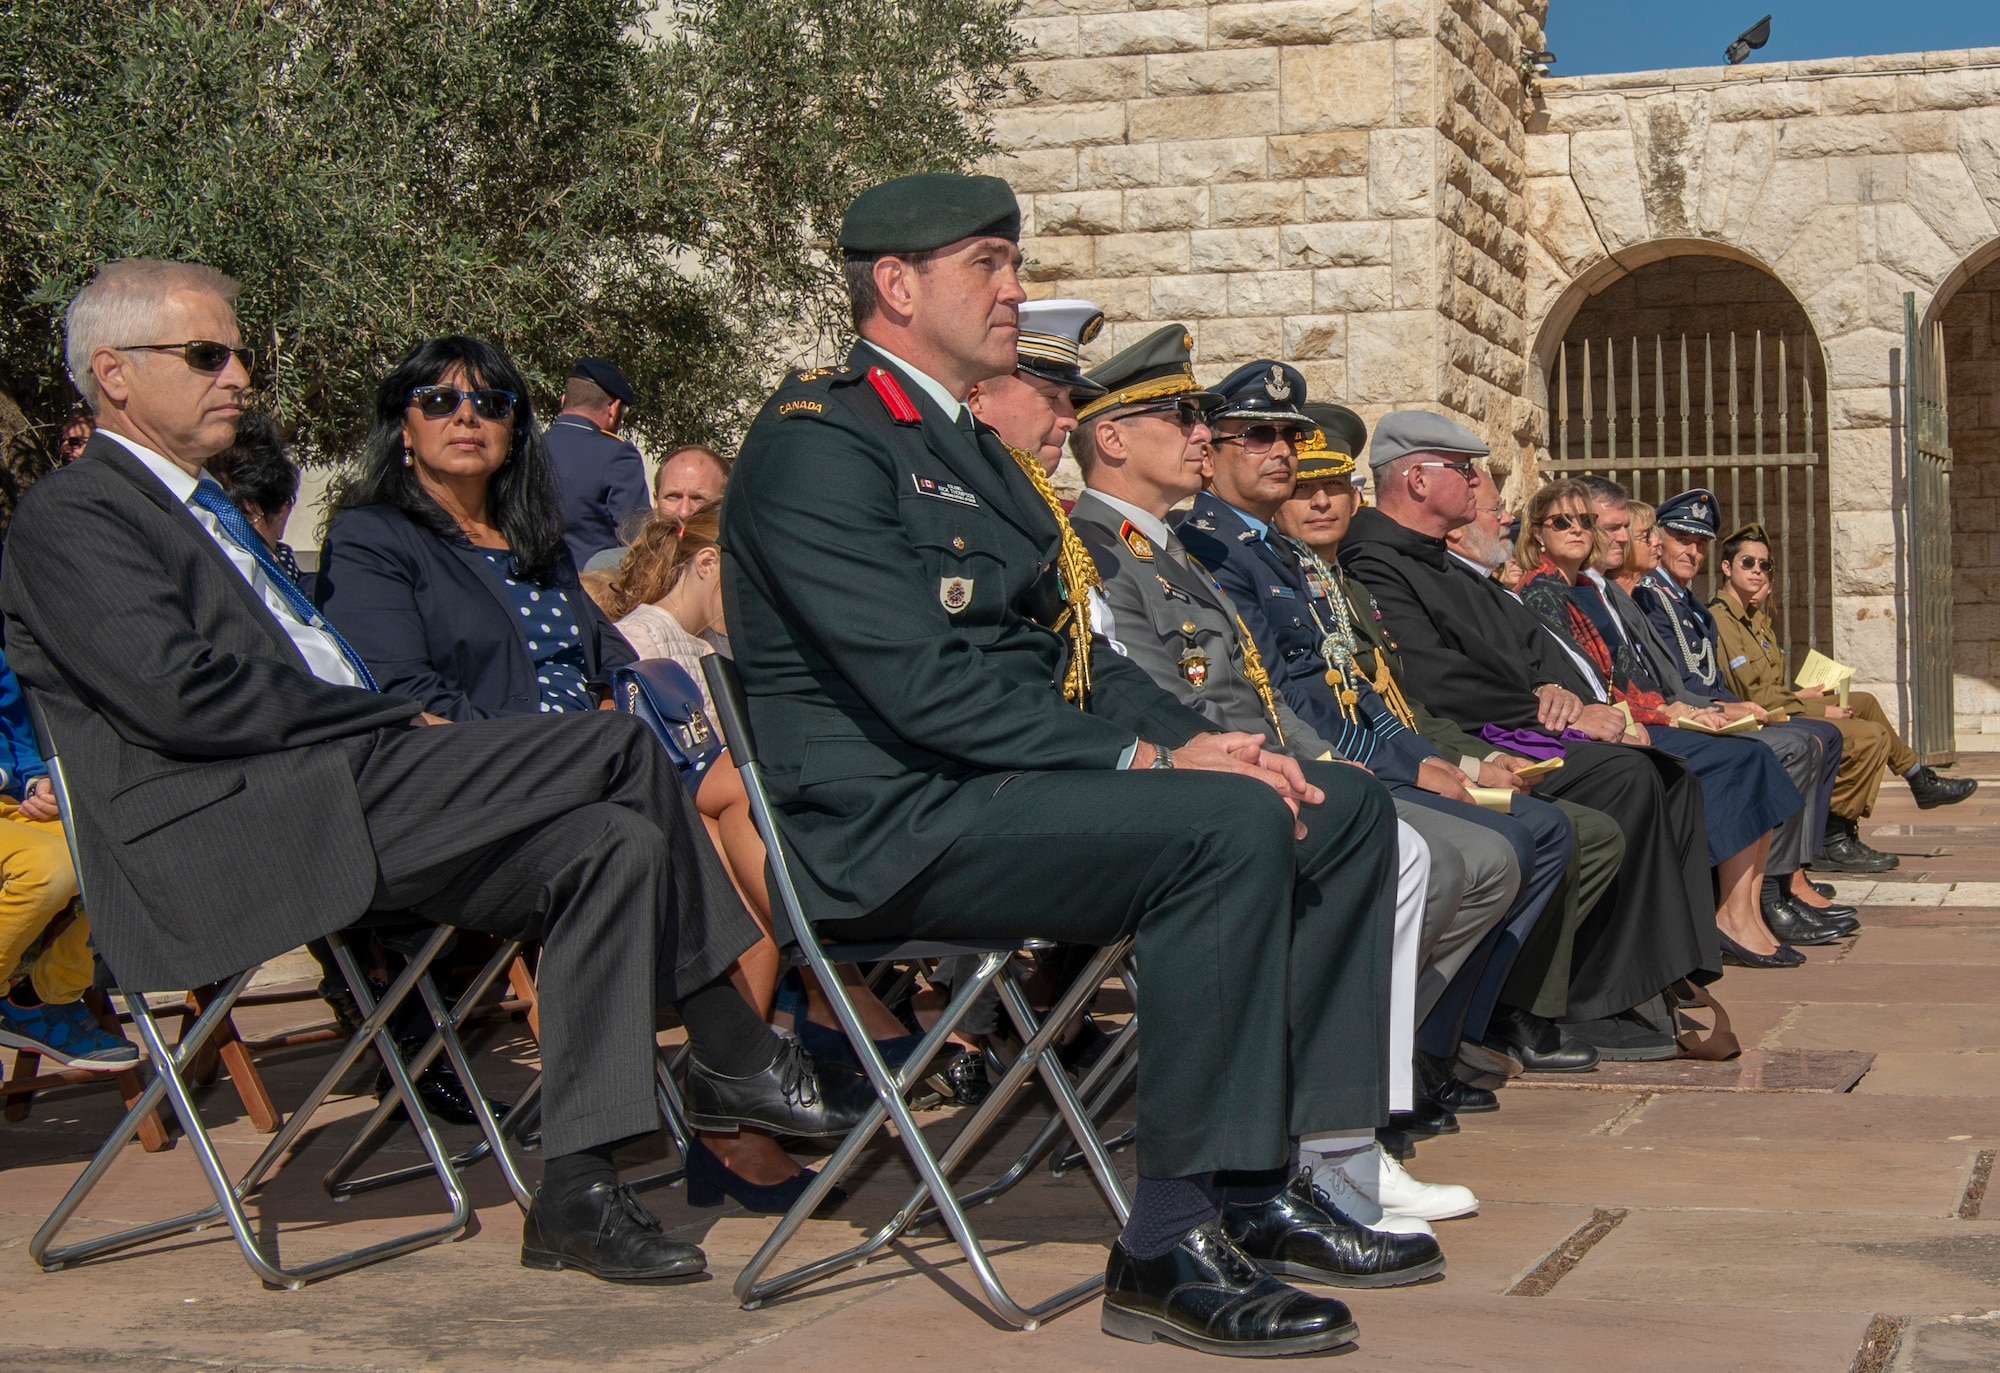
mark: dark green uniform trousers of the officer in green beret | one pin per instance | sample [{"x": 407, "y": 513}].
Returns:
[{"x": 1263, "y": 962}]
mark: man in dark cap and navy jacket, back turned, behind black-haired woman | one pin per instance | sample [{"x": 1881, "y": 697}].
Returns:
[{"x": 599, "y": 475}]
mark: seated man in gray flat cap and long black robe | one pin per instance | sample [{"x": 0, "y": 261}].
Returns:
[{"x": 1479, "y": 657}]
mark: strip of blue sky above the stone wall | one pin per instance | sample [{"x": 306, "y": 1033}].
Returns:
[{"x": 1645, "y": 35}]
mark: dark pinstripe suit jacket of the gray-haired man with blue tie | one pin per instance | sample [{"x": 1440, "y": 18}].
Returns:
[{"x": 211, "y": 772}]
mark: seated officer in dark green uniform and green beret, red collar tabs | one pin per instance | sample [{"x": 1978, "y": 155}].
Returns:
[{"x": 947, "y": 764}]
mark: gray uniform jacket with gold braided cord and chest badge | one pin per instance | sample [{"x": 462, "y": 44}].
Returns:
[{"x": 1181, "y": 627}]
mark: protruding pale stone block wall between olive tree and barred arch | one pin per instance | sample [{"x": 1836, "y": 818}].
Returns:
[{"x": 1335, "y": 183}]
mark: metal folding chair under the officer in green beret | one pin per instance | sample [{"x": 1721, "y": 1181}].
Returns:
[{"x": 891, "y": 1086}]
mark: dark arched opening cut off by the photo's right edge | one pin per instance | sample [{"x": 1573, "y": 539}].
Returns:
[{"x": 1969, "y": 309}]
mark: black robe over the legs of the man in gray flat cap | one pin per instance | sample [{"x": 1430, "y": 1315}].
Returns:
[{"x": 1659, "y": 920}]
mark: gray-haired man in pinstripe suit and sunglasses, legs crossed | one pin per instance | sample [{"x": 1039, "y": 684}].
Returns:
[{"x": 205, "y": 710}]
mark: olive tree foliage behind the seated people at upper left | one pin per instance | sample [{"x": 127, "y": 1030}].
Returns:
[{"x": 651, "y": 183}]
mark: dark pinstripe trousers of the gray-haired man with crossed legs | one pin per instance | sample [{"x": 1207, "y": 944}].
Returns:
[{"x": 575, "y": 832}]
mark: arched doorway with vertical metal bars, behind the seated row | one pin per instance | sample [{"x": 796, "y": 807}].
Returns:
[{"x": 1685, "y": 365}]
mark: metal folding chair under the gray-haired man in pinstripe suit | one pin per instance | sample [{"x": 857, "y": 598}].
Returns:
[{"x": 171, "y": 1082}]
